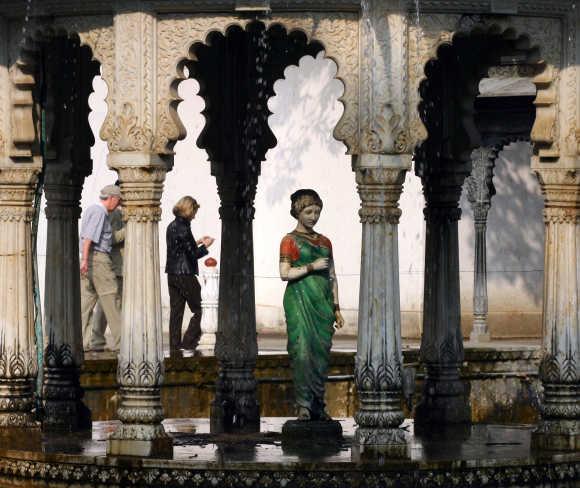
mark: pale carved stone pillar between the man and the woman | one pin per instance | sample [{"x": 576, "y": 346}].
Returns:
[{"x": 140, "y": 370}]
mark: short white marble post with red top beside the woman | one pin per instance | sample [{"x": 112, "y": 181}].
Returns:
[{"x": 209, "y": 306}]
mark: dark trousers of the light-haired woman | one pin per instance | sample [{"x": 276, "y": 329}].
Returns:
[{"x": 184, "y": 288}]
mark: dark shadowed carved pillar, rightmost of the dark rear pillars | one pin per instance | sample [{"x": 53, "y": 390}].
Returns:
[{"x": 444, "y": 399}]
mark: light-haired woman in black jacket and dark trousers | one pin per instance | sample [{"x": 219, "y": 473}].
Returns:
[{"x": 181, "y": 267}]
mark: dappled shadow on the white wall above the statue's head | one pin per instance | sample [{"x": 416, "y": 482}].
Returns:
[{"x": 308, "y": 92}]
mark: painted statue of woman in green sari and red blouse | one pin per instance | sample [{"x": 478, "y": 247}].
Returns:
[{"x": 310, "y": 304}]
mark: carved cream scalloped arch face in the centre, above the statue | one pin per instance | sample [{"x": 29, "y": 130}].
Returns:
[{"x": 337, "y": 34}]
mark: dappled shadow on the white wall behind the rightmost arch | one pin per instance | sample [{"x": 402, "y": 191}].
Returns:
[{"x": 515, "y": 230}]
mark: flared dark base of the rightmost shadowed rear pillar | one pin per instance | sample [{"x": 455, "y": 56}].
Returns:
[{"x": 444, "y": 401}]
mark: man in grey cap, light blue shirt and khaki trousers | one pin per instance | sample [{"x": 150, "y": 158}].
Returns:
[{"x": 98, "y": 279}]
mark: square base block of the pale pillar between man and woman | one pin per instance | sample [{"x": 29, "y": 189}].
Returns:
[{"x": 140, "y": 440}]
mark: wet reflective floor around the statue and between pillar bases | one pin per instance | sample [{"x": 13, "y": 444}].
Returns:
[{"x": 194, "y": 443}]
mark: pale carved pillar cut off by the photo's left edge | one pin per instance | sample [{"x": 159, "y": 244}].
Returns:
[{"x": 18, "y": 366}]
